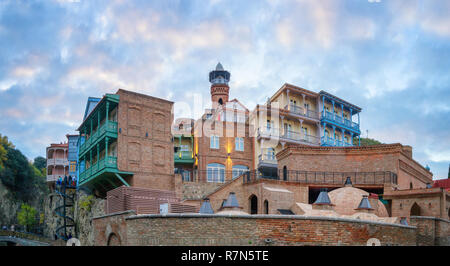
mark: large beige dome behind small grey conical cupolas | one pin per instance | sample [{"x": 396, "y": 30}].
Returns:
[{"x": 347, "y": 199}]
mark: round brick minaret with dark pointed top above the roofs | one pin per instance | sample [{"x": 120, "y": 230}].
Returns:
[{"x": 219, "y": 79}]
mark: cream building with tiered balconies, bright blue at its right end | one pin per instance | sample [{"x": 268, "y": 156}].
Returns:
[{"x": 294, "y": 115}]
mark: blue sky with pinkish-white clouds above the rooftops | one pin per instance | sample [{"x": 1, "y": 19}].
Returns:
[{"x": 392, "y": 58}]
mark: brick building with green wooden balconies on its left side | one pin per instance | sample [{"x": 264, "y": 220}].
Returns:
[{"x": 126, "y": 140}]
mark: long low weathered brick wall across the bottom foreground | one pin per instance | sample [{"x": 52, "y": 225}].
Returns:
[{"x": 196, "y": 229}]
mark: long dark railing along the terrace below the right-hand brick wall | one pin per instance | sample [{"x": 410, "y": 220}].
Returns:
[{"x": 333, "y": 178}]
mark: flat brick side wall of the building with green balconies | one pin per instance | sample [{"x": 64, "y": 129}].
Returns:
[{"x": 144, "y": 140}]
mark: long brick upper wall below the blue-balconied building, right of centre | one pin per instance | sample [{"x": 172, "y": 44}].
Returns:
[{"x": 385, "y": 157}]
